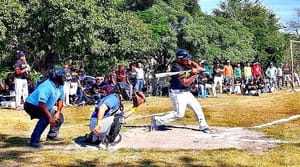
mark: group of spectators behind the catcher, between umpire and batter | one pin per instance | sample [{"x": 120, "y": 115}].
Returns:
[{"x": 82, "y": 89}]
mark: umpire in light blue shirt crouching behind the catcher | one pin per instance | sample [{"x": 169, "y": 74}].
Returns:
[{"x": 40, "y": 105}]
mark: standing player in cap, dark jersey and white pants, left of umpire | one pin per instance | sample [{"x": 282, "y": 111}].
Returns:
[{"x": 22, "y": 70}]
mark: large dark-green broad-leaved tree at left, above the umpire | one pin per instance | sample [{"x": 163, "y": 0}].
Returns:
[{"x": 52, "y": 32}]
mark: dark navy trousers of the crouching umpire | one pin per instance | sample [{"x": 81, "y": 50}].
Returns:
[{"x": 35, "y": 112}]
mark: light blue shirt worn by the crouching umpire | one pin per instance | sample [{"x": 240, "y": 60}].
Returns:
[{"x": 46, "y": 93}]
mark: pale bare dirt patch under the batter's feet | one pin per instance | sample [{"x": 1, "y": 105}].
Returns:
[{"x": 187, "y": 137}]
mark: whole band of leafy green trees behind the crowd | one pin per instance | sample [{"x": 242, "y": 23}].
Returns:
[{"x": 99, "y": 34}]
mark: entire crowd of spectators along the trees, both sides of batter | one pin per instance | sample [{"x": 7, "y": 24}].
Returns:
[{"x": 220, "y": 78}]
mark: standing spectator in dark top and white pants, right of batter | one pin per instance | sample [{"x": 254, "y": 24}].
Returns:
[{"x": 218, "y": 78}]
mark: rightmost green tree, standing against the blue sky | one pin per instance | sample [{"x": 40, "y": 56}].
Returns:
[{"x": 262, "y": 23}]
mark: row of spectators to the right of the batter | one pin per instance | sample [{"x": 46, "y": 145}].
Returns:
[{"x": 246, "y": 80}]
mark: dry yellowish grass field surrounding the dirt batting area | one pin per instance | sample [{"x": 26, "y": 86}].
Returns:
[{"x": 226, "y": 111}]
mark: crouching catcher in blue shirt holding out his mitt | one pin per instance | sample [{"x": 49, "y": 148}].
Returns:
[{"x": 107, "y": 118}]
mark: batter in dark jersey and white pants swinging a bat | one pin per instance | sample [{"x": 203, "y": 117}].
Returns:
[{"x": 179, "y": 92}]
